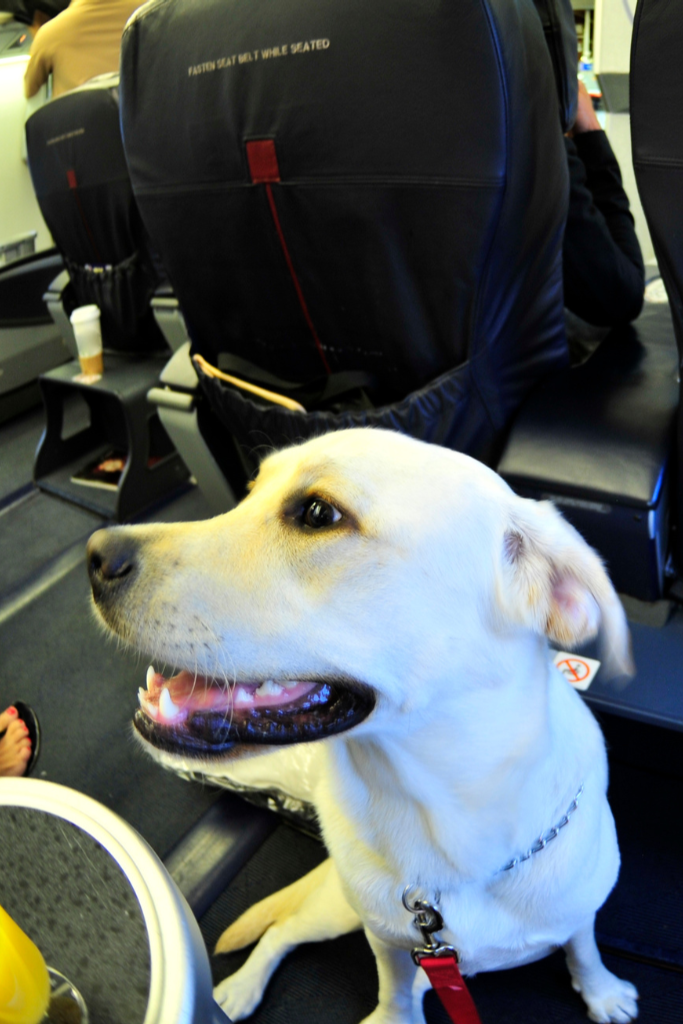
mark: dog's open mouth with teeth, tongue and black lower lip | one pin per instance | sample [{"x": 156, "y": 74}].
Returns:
[{"x": 196, "y": 715}]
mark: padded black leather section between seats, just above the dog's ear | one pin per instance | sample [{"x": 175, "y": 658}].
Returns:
[{"x": 596, "y": 441}]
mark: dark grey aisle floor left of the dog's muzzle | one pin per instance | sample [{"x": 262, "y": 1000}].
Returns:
[{"x": 56, "y": 657}]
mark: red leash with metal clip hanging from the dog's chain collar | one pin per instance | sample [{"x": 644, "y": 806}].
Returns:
[{"x": 440, "y": 962}]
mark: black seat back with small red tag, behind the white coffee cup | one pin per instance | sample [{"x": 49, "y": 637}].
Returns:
[{"x": 82, "y": 185}]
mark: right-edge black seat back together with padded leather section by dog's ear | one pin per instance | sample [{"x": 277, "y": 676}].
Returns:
[{"x": 599, "y": 440}]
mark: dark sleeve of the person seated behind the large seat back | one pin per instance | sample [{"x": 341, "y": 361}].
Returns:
[{"x": 605, "y": 278}]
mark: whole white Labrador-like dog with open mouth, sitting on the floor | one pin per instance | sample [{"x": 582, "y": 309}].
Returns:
[{"x": 393, "y": 600}]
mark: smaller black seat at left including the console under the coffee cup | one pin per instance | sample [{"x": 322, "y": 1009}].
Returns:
[{"x": 83, "y": 189}]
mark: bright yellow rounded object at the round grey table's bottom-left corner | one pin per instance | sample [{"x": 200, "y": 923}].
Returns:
[{"x": 25, "y": 986}]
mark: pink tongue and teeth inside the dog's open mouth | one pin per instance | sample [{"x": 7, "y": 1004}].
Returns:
[{"x": 170, "y": 702}]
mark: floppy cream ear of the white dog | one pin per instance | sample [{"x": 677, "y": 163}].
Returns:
[{"x": 556, "y": 584}]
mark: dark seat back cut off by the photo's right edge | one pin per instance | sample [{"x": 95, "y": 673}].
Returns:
[{"x": 658, "y": 158}]
